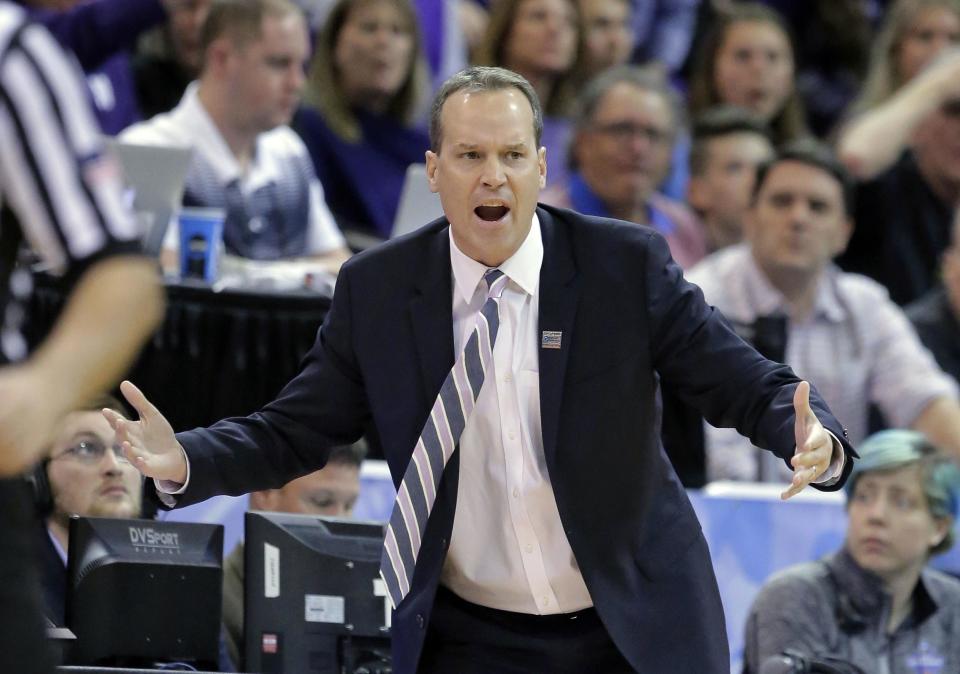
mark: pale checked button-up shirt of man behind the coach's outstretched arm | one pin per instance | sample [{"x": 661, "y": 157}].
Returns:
[{"x": 857, "y": 348}]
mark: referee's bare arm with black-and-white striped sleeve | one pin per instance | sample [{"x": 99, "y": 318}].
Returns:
[{"x": 66, "y": 196}]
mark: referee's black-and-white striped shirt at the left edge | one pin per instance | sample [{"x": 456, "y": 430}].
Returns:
[{"x": 59, "y": 192}]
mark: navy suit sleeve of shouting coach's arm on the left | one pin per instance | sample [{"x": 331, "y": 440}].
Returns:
[{"x": 325, "y": 405}]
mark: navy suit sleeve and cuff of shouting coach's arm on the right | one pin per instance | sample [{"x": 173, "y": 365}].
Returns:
[{"x": 701, "y": 359}]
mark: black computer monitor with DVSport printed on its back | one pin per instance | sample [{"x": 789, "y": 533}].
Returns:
[{"x": 141, "y": 592}]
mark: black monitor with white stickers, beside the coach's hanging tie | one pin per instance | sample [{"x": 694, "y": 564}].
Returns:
[{"x": 314, "y": 602}]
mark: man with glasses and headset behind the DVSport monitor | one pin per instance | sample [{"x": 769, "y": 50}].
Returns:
[{"x": 84, "y": 474}]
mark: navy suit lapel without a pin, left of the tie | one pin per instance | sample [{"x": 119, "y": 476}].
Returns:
[{"x": 431, "y": 316}]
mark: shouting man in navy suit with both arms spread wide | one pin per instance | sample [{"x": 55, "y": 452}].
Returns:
[{"x": 560, "y": 539}]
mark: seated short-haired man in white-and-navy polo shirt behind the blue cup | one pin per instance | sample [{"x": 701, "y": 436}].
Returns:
[{"x": 246, "y": 159}]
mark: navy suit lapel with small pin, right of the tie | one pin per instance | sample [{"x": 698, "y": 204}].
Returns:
[{"x": 559, "y": 294}]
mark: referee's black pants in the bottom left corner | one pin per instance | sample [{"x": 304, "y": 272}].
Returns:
[{"x": 23, "y": 647}]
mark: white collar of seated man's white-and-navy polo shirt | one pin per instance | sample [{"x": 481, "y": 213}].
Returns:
[{"x": 209, "y": 142}]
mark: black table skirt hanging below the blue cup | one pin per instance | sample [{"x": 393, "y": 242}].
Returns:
[{"x": 217, "y": 354}]
